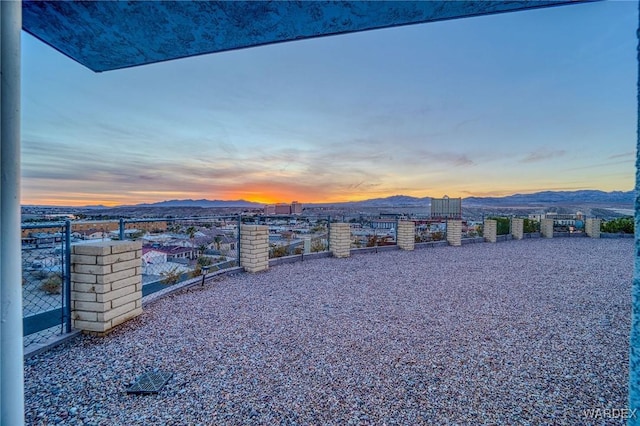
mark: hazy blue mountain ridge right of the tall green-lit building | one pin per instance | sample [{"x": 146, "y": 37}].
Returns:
[{"x": 555, "y": 197}]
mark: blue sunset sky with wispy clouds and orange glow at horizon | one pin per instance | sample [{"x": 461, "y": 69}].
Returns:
[{"x": 485, "y": 106}]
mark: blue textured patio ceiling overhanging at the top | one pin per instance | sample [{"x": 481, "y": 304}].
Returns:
[{"x": 106, "y": 35}]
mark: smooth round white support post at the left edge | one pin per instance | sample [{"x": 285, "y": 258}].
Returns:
[{"x": 11, "y": 346}]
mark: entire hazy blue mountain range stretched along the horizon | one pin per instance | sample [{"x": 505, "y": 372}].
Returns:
[{"x": 590, "y": 197}]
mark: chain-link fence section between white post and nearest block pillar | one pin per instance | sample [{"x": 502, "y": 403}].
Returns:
[{"x": 46, "y": 281}]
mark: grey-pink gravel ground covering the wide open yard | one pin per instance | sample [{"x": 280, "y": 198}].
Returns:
[{"x": 519, "y": 332}]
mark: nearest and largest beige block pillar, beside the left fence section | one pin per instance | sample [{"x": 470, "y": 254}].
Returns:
[{"x": 106, "y": 284}]
